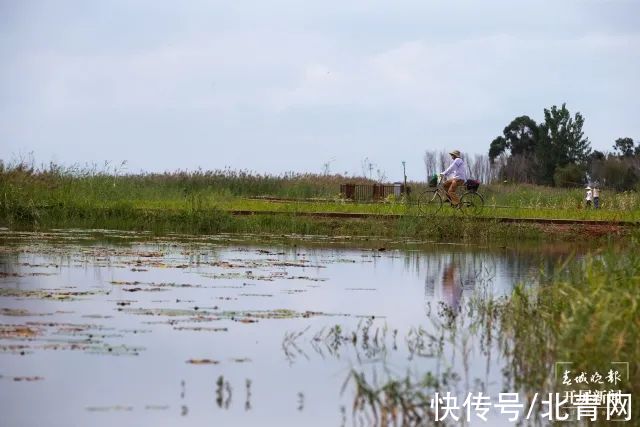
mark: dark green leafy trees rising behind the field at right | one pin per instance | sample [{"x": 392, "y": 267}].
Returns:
[{"x": 557, "y": 153}]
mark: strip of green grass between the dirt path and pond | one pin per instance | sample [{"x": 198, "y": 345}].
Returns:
[{"x": 211, "y": 221}]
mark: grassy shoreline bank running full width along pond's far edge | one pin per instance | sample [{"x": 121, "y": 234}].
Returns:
[{"x": 439, "y": 228}]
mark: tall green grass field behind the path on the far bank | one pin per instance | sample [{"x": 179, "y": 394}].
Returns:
[{"x": 104, "y": 196}]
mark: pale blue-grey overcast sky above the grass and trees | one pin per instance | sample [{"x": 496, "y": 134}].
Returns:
[{"x": 282, "y": 85}]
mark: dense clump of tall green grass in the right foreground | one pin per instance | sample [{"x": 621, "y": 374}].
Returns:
[{"x": 587, "y": 313}]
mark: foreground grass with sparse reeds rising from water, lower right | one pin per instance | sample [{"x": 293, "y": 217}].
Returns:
[{"x": 587, "y": 312}]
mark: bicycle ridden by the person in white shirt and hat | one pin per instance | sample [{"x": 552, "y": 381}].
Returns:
[{"x": 430, "y": 202}]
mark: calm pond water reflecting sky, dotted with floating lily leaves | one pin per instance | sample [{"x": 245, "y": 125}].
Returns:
[{"x": 111, "y": 329}]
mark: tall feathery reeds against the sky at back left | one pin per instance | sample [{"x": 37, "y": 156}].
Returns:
[{"x": 59, "y": 183}]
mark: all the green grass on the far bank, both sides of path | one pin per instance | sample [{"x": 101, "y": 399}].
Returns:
[{"x": 198, "y": 202}]
